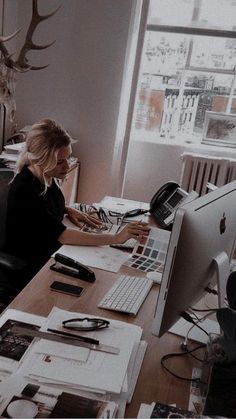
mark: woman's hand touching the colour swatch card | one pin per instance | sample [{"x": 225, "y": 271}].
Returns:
[{"x": 136, "y": 230}]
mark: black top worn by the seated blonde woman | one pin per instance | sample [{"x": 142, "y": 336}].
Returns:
[{"x": 34, "y": 220}]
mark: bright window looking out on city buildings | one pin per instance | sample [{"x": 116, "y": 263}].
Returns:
[{"x": 188, "y": 66}]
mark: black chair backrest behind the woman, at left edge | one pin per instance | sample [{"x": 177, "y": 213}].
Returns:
[{"x": 6, "y": 176}]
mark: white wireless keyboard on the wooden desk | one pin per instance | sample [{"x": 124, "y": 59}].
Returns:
[{"x": 127, "y": 294}]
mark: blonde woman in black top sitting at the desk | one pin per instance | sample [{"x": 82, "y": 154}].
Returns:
[{"x": 36, "y": 205}]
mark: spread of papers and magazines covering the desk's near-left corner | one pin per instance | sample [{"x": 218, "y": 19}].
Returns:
[{"x": 48, "y": 376}]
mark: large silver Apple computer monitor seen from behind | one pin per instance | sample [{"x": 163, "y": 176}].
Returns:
[{"x": 201, "y": 246}]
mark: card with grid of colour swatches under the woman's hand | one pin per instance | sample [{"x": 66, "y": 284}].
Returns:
[{"x": 149, "y": 254}]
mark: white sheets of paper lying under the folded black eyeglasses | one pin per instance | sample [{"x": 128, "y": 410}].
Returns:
[{"x": 97, "y": 372}]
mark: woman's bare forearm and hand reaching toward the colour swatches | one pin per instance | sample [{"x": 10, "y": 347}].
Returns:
[{"x": 131, "y": 230}]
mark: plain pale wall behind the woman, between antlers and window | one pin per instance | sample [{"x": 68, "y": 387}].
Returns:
[{"x": 81, "y": 87}]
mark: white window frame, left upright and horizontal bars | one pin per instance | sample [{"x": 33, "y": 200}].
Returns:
[{"x": 124, "y": 137}]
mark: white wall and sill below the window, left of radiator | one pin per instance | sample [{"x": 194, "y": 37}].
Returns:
[{"x": 149, "y": 165}]
